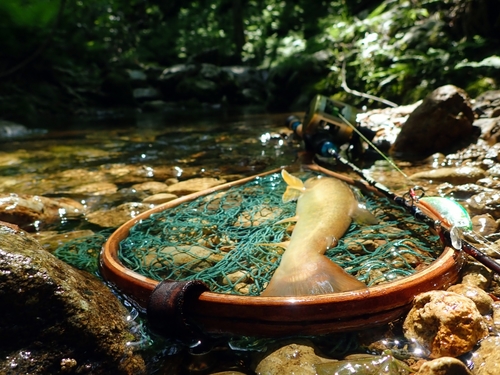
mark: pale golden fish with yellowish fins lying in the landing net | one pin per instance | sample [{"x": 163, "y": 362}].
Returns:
[{"x": 326, "y": 207}]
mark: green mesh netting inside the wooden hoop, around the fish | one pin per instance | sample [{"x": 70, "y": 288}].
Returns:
[{"x": 230, "y": 240}]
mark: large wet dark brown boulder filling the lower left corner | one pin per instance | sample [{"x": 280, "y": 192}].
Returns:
[{"x": 56, "y": 319}]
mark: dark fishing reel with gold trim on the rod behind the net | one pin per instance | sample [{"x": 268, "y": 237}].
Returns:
[{"x": 329, "y": 126}]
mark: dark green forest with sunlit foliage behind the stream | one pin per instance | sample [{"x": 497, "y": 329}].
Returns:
[{"x": 60, "y": 56}]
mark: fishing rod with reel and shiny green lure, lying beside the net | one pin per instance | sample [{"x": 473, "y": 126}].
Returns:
[{"x": 329, "y": 123}]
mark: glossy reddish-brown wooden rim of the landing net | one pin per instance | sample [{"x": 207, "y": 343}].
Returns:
[{"x": 277, "y": 316}]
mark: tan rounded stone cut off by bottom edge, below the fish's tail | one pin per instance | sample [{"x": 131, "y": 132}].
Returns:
[{"x": 295, "y": 358}]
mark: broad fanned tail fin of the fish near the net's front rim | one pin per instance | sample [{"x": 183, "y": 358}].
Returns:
[{"x": 316, "y": 275}]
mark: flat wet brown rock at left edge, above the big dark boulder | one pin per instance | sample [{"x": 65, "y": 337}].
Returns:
[{"x": 32, "y": 212}]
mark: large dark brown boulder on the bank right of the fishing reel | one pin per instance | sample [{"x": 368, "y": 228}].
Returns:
[{"x": 442, "y": 123}]
